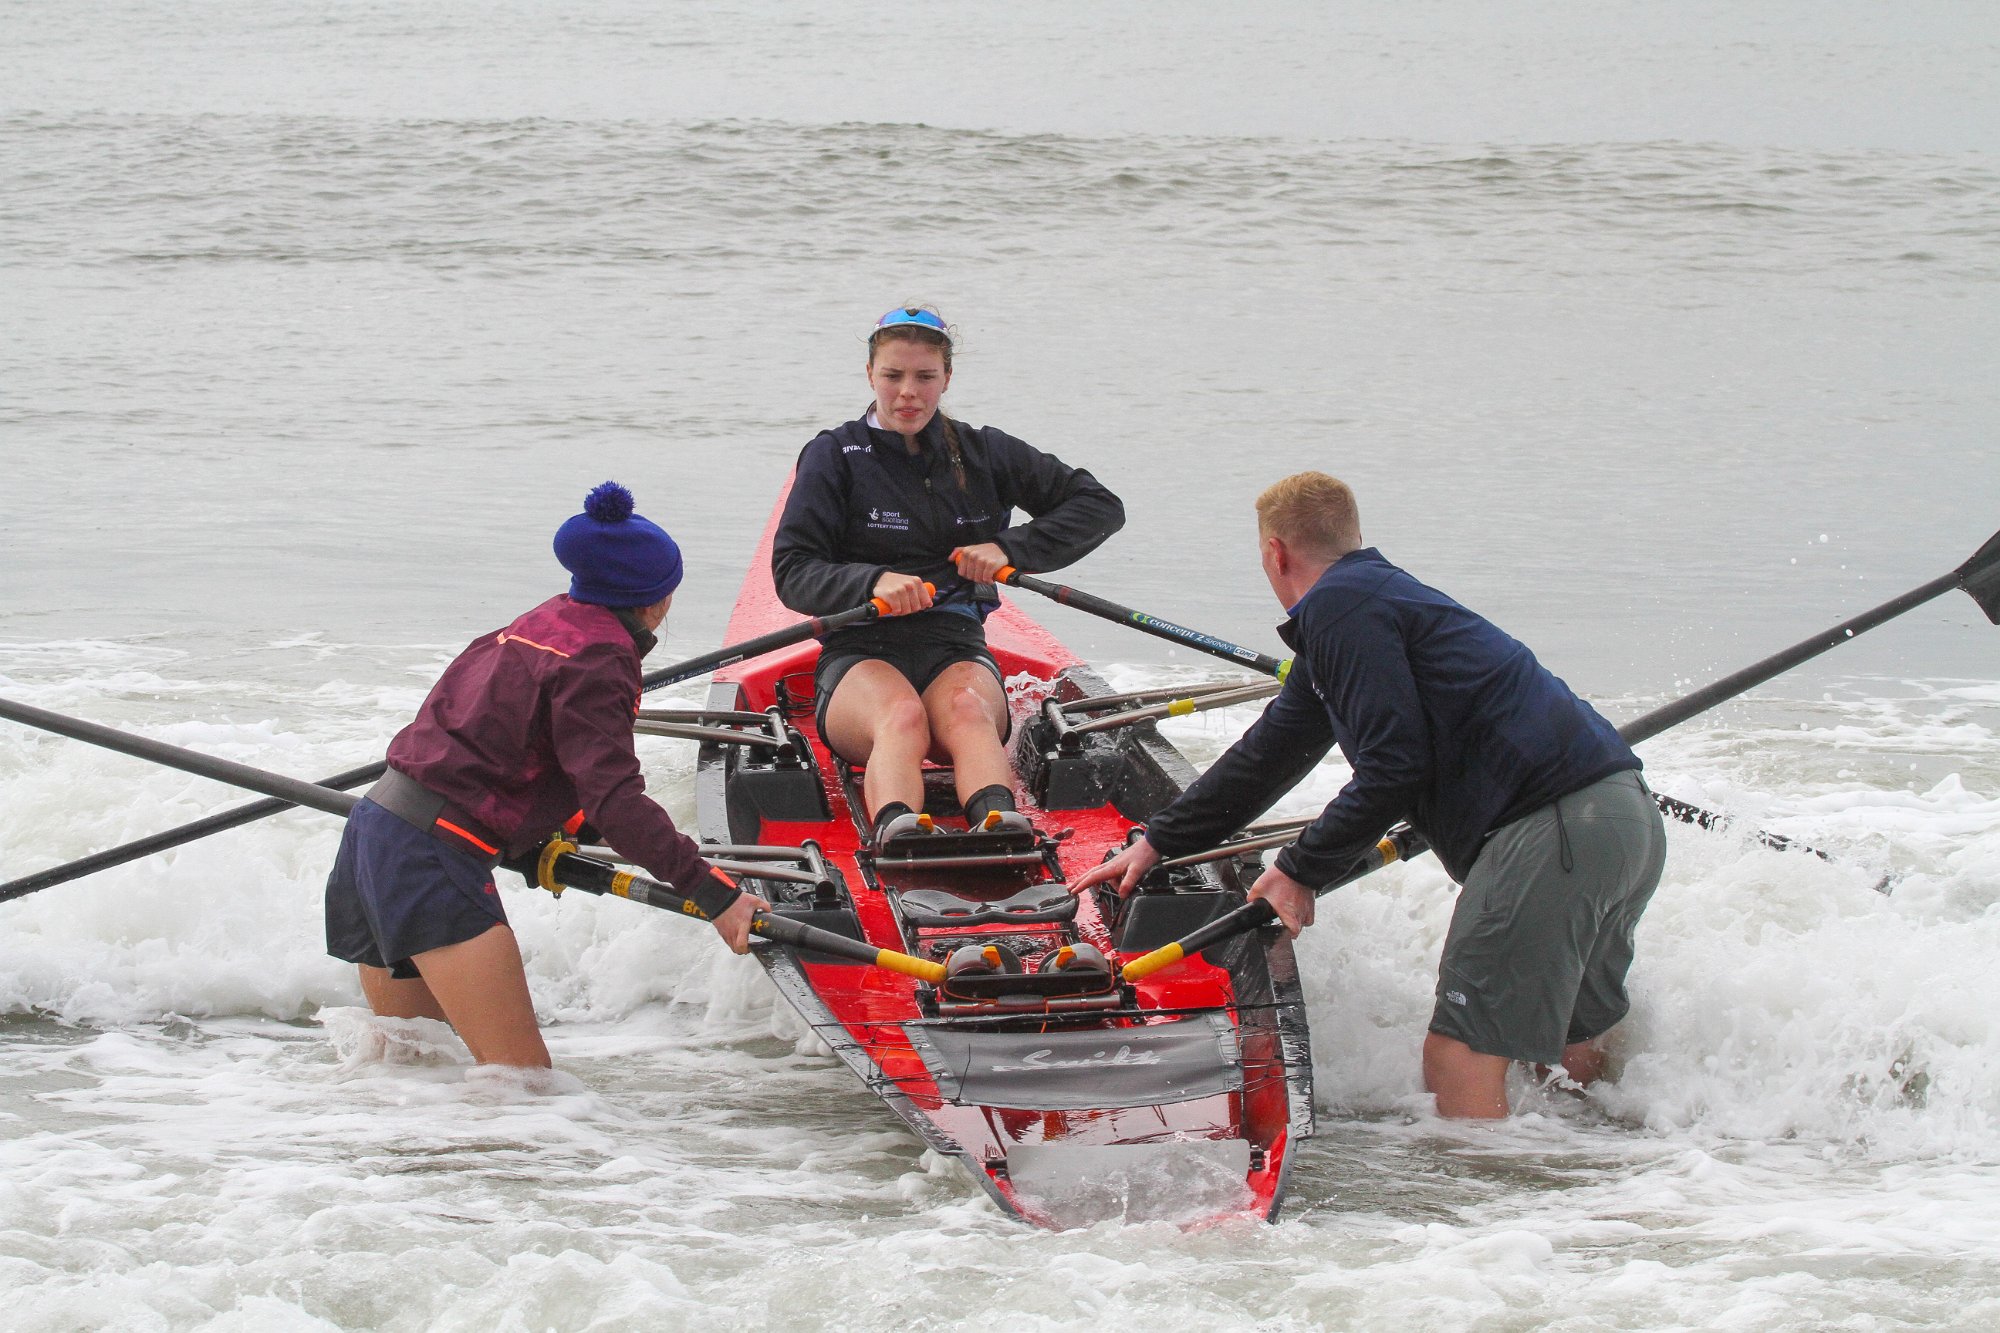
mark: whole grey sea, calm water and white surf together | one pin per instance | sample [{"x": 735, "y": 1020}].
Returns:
[{"x": 1663, "y": 337}]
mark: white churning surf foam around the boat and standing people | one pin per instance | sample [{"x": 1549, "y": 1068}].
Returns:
[{"x": 1809, "y": 1086}]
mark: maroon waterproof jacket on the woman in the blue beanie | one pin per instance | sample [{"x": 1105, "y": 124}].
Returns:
[{"x": 535, "y": 724}]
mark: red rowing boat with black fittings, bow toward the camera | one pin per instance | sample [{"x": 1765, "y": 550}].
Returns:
[{"x": 1065, "y": 1092}]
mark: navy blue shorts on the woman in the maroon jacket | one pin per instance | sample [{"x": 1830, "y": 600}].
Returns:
[{"x": 399, "y": 892}]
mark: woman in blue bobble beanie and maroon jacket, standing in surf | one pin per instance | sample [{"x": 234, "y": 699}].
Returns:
[{"x": 527, "y": 734}]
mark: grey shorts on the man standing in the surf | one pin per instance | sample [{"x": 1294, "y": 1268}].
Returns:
[{"x": 1541, "y": 940}]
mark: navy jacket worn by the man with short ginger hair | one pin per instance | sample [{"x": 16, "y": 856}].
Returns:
[{"x": 1447, "y": 722}]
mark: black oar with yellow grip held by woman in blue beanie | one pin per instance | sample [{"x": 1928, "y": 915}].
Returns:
[{"x": 557, "y": 866}]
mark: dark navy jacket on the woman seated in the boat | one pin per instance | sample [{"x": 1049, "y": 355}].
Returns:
[{"x": 865, "y": 505}]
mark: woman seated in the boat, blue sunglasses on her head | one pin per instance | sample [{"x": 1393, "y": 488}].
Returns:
[{"x": 897, "y": 499}]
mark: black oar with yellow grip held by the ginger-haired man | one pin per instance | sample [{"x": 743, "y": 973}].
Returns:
[{"x": 1979, "y": 577}]
